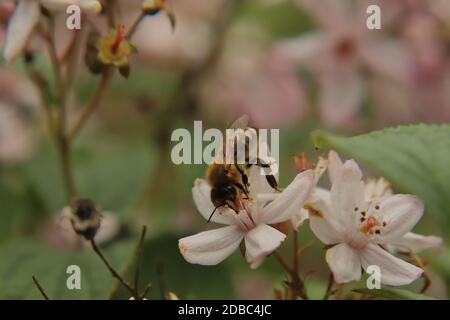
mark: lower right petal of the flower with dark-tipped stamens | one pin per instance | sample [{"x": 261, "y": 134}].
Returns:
[{"x": 394, "y": 271}]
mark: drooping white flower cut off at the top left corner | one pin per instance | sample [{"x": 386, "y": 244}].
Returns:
[{"x": 27, "y": 15}]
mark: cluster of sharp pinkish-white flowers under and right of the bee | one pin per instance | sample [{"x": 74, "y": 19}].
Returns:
[{"x": 361, "y": 224}]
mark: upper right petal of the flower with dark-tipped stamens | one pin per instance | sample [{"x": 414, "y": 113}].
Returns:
[{"x": 401, "y": 212}]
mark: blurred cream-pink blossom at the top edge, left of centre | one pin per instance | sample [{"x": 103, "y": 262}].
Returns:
[{"x": 187, "y": 44}]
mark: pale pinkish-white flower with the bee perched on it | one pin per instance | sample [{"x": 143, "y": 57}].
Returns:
[{"x": 251, "y": 225}]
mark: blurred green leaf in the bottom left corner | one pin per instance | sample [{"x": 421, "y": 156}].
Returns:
[{"x": 24, "y": 258}]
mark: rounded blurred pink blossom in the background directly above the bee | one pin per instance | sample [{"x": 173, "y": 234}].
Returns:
[{"x": 264, "y": 86}]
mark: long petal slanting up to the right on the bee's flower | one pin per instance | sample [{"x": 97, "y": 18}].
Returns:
[{"x": 290, "y": 201}]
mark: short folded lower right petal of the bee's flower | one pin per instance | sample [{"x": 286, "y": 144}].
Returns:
[{"x": 260, "y": 242}]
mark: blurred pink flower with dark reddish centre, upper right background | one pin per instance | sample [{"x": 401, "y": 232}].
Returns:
[{"x": 341, "y": 53}]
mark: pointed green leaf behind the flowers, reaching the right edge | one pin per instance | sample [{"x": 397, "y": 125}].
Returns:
[{"x": 415, "y": 159}]
